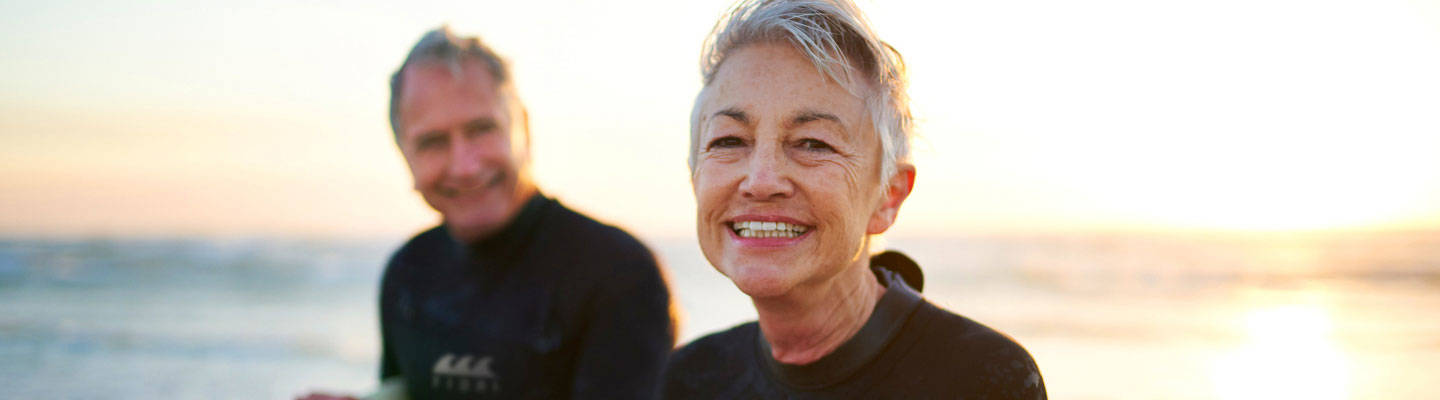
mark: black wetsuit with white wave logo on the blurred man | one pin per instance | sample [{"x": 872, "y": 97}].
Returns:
[{"x": 554, "y": 306}]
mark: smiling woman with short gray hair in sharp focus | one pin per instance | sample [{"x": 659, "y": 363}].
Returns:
[{"x": 798, "y": 159}]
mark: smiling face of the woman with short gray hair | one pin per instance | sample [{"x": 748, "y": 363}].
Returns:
[{"x": 787, "y": 175}]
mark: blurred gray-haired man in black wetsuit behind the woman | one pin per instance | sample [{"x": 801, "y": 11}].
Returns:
[{"x": 513, "y": 296}]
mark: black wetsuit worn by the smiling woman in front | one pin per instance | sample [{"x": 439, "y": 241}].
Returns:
[{"x": 909, "y": 349}]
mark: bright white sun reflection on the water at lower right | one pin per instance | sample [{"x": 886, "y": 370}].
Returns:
[{"x": 1290, "y": 353}]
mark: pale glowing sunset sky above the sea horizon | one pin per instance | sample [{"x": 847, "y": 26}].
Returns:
[{"x": 155, "y": 119}]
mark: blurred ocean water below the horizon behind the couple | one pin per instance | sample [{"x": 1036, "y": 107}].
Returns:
[{"x": 1318, "y": 316}]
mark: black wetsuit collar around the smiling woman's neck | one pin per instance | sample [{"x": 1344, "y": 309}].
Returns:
[{"x": 885, "y": 323}]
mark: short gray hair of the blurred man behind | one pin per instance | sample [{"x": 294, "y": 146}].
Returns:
[{"x": 444, "y": 47}]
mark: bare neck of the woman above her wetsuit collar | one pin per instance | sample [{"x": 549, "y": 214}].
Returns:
[{"x": 813, "y": 322}]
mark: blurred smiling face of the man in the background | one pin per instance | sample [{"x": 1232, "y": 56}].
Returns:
[{"x": 464, "y": 147}]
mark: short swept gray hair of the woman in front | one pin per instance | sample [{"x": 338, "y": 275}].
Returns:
[{"x": 836, "y": 37}]
